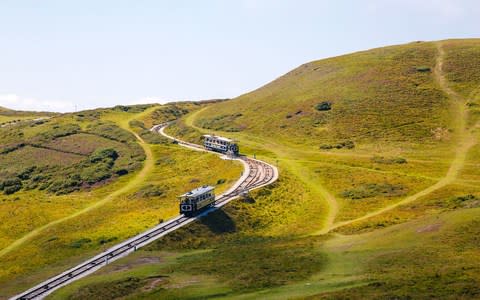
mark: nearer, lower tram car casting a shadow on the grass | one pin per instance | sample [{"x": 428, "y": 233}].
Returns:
[{"x": 197, "y": 200}]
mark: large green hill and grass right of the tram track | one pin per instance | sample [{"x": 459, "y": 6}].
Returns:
[{"x": 378, "y": 196}]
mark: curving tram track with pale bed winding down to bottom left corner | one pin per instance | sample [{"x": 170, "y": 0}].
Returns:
[{"x": 257, "y": 174}]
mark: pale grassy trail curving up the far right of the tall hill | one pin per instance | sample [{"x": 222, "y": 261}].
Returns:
[{"x": 465, "y": 136}]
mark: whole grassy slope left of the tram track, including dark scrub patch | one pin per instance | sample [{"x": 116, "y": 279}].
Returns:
[{"x": 66, "y": 181}]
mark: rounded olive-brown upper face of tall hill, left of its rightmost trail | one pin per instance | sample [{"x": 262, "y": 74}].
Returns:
[{"x": 386, "y": 94}]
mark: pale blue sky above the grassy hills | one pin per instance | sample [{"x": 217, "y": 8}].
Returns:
[{"x": 58, "y": 54}]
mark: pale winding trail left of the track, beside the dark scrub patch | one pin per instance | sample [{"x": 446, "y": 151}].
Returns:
[{"x": 138, "y": 179}]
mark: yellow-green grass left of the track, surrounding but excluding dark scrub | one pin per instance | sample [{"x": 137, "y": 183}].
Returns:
[{"x": 49, "y": 233}]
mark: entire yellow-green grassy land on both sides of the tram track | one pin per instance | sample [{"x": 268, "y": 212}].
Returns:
[{"x": 378, "y": 196}]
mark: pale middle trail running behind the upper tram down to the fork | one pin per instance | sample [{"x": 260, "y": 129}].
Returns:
[{"x": 294, "y": 167}]
